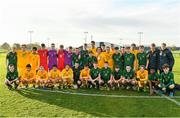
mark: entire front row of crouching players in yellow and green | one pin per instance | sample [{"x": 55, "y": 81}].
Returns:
[{"x": 94, "y": 78}]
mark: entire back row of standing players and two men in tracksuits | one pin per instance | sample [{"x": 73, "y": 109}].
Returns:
[{"x": 128, "y": 56}]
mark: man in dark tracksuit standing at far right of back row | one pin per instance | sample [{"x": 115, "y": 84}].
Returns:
[{"x": 166, "y": 57}]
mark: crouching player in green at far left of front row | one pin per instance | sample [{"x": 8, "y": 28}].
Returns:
[{"x": 12, "y": 77}]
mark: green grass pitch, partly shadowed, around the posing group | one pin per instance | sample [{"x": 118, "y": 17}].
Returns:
[{"x": 43, "y": 103}]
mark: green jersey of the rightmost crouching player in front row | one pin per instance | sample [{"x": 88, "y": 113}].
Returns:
[{"x": 167, "y": 79}]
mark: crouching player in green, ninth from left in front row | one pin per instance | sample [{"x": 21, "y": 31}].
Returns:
[{"x": 105, "y": 76}]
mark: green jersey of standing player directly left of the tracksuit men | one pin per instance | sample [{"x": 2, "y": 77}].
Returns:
[{"x": 142, "y": 59}]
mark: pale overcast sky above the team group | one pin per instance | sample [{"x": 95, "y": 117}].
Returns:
[{"x": 65, "y": 21}]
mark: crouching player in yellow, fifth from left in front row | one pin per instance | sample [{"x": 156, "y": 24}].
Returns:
[{"x": 67, "y": 76}]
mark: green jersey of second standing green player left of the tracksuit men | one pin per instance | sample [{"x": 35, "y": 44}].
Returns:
[{"x": 129, "y": 60}]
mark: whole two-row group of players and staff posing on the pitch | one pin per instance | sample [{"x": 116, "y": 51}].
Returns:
[{"x": 94, "y": 67}]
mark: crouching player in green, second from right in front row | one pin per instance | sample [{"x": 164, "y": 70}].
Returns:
[{"x": 153, "y": 80}]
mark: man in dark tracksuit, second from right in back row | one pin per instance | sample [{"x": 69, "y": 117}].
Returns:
[{"x": 153, "y": 58}]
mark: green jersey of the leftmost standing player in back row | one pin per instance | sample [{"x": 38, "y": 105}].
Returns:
[{"x": 11, "y": 57}]
